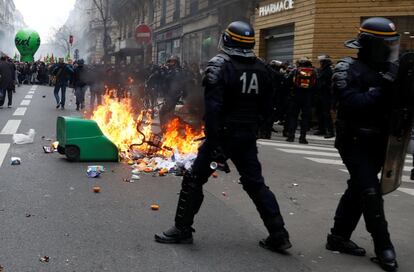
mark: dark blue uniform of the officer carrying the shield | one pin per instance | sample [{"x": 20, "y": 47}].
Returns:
[{"x": 361, "y": 141}]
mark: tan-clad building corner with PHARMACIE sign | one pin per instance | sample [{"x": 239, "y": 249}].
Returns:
[{"x": 290, "y": 29}]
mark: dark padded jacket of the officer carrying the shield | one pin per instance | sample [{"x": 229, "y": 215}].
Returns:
[{"x": 362, "y": 96}]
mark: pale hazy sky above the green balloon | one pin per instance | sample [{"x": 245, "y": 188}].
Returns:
[{"x": 42, "y": 15}]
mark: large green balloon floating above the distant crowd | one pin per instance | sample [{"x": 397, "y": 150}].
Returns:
[{"x": 27, "y": 42}]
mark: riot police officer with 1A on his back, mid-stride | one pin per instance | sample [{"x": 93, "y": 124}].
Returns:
[{"x": 238, "y": 95}]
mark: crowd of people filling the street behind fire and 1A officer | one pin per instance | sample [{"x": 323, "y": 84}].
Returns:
[{"x": 302, "y": 92}]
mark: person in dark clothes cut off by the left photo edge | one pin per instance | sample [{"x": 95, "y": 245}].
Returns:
[{"x": 7, "y": 77}]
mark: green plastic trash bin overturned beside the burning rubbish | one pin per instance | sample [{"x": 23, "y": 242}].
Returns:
[{"x": 82, "y": 140}]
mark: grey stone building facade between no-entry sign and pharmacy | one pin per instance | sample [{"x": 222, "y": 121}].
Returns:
[{"x": 190, "y": 29}]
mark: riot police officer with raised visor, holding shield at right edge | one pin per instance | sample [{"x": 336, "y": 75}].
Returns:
[{"x": 363, "y": 89}]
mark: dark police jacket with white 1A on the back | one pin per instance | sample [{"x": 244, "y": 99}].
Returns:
[{"x": 238, "y": 94}]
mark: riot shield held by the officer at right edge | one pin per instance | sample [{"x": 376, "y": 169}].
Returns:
[{"x": 401, "y": 123}]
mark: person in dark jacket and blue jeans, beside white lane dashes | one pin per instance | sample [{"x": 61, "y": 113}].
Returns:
[{"x": 62, "y": 73}]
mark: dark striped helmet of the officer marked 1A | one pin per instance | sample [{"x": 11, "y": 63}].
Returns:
[{"x": 238, "y": 39}]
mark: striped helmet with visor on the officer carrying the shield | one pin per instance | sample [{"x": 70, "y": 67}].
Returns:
[{"x": 378, "y": 37}]
